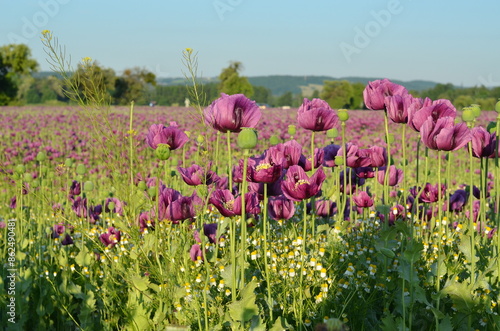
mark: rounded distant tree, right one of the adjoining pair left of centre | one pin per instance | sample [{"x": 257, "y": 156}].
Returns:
[{"x": 132, "y": 86}]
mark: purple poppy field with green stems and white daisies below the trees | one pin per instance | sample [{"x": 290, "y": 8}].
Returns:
[{"x": 232, "y": 217}]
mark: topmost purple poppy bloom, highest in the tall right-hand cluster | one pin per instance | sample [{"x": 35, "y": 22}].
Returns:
[{"x": 375, "y": 92}]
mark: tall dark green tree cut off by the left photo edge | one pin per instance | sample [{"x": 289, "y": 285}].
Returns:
[{"x": 16, "y": 67}]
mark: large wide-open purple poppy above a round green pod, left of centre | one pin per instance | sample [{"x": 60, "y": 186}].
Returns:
[{"x": 231, "y": 113}]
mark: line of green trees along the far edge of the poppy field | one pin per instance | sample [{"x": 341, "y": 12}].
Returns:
[{"x": 20, "y": 84}]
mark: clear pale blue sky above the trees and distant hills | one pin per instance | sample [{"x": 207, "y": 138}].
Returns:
[{"x": 443, "y": 41}]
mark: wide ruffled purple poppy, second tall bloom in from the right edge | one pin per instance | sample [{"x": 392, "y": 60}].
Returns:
[{"x": 443, "y": 135}]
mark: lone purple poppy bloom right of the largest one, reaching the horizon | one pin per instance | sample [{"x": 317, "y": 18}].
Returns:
[{"x": 316, "y": 115}]
